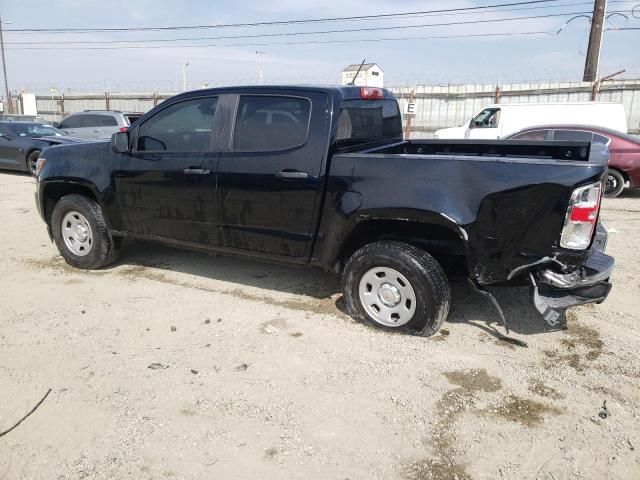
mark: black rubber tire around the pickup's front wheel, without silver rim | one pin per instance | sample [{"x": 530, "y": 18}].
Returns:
[{"x": 104, "y": 248}]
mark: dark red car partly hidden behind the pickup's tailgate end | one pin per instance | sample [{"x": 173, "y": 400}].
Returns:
[{"x": 624, "y": 150}]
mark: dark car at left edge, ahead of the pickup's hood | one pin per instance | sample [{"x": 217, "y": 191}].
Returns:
[{"x": 22, "y": 142}]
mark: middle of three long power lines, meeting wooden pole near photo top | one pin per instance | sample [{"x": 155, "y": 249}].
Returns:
[{"x": 292, "y": 34}]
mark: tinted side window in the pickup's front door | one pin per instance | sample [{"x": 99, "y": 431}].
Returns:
[{"x": 181, "y": 127}]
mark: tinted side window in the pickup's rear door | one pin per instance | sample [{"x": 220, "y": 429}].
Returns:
[{"x": 271, "y": 122}]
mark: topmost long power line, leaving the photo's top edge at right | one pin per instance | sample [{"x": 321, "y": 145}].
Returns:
[{"x": 278, "y": 22}]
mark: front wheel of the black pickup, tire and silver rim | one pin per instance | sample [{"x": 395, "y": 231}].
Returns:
[{"x": 81, "y": 234}]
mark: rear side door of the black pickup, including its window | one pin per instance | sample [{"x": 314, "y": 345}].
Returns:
[{"x": 269, "y": 179}]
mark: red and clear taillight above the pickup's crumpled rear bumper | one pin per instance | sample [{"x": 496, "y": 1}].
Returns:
[{"x": 581, "y": 218}]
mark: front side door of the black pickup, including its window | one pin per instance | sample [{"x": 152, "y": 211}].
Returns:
[{"x": 166, "y": 185}]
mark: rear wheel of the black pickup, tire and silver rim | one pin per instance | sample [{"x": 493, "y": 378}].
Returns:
[{"x": 396, "y": 286}]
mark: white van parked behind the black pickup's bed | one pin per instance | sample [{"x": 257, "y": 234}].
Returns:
[{"x": 498, "y": 121}]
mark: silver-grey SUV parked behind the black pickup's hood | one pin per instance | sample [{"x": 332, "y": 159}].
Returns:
[{"x": 97, "y": 124}]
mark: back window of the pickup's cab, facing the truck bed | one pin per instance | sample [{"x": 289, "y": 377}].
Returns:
[{"x": 362, "y": 122}]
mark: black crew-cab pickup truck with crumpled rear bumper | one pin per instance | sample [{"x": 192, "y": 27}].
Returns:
[{"x": 322, "y": 177}]
